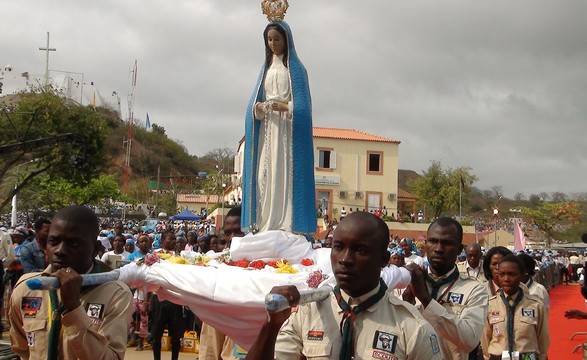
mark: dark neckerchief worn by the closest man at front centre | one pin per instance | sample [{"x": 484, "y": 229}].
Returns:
[{"x": 347, "y": 350}]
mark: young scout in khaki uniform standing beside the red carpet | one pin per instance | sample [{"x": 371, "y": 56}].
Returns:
[{"x": 528, "y": 333}]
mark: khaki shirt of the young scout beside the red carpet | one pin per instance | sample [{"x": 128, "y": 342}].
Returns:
[{"x": 530, "y": 326}]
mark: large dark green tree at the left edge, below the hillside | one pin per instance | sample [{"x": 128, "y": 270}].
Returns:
[{"x": 63, "y": 140}]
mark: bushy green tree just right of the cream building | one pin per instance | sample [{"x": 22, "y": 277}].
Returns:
[{"x": 439, "y": 188}]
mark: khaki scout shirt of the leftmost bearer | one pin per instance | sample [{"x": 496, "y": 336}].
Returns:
[{"x": 97, "y": 329}]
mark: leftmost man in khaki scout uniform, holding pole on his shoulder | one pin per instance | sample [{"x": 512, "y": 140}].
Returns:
[{"x": 73, "y": 322}]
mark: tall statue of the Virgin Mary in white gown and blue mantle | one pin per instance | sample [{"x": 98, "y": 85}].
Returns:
[{"x": 278, "y": 173}]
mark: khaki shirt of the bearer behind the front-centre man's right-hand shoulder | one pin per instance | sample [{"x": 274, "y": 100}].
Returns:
[{"x": 458, "y": 316}]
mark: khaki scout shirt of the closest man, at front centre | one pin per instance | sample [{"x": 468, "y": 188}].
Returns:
[{"x": 314, "y": 331}]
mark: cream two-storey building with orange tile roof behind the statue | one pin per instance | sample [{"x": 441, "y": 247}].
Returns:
[{"x": 353, "y": 170}]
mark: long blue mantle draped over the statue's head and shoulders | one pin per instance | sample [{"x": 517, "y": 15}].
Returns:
[{"x": 303, "y": 191}]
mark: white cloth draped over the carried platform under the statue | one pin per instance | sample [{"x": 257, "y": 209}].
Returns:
[{"x": 232, "y": 299}]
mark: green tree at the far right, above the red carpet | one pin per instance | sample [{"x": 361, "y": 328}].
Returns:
[{"x": 548, "y": 216}]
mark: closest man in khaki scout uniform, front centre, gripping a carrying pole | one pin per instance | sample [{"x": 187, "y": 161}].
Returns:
[{"x": 374, "y": 323}]
